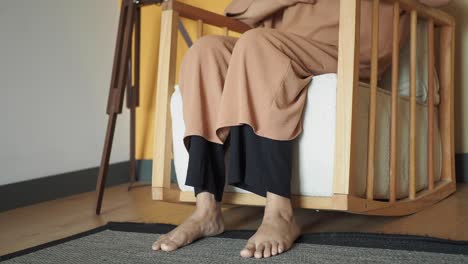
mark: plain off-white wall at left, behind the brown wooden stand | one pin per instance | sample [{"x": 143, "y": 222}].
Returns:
[{"x": 55, "y": 66}]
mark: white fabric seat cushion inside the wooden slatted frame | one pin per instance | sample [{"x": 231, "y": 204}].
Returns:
[{"x": 314, "y": 147}]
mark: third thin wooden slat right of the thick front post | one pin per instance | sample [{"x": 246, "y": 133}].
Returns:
[{"x": 412, "y": 158}]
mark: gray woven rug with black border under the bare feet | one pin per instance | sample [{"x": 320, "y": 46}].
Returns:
[{"x": 131, "y": 243}]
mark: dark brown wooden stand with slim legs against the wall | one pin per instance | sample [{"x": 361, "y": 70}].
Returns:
[{"x": 130, "y": 16}]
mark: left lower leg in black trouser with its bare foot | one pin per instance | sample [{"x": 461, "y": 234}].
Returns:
[{"x": 206, "y": 174}]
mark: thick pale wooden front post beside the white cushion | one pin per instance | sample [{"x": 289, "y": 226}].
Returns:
[{"x": 346, "y": 137}]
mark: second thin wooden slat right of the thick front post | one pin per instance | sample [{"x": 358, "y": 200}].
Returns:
[{"x": 394, "y": 121}]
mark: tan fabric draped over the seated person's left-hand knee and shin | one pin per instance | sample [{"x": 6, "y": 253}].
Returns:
[{"x": 201, "y": 82}]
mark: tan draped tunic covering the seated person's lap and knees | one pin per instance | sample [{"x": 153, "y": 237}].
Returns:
[{"x": 261, "y": 78}]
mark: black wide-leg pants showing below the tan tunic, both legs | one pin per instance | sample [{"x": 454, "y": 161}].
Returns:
[{"x": 256, "y": 164}]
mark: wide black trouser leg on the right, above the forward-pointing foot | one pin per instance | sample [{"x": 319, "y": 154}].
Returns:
[{"x": 259, "y": 164}]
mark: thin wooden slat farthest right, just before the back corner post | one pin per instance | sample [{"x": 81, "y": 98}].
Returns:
[{"x": 430, "y": 107}]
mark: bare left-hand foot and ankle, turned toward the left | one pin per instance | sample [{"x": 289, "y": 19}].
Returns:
[{"x": 207, "y": 220}]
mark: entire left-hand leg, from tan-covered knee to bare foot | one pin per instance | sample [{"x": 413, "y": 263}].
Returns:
[{"x": 202, "y": 74}]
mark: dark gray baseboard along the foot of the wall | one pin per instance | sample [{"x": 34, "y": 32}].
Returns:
[{"x": 57, "y": 186}]
